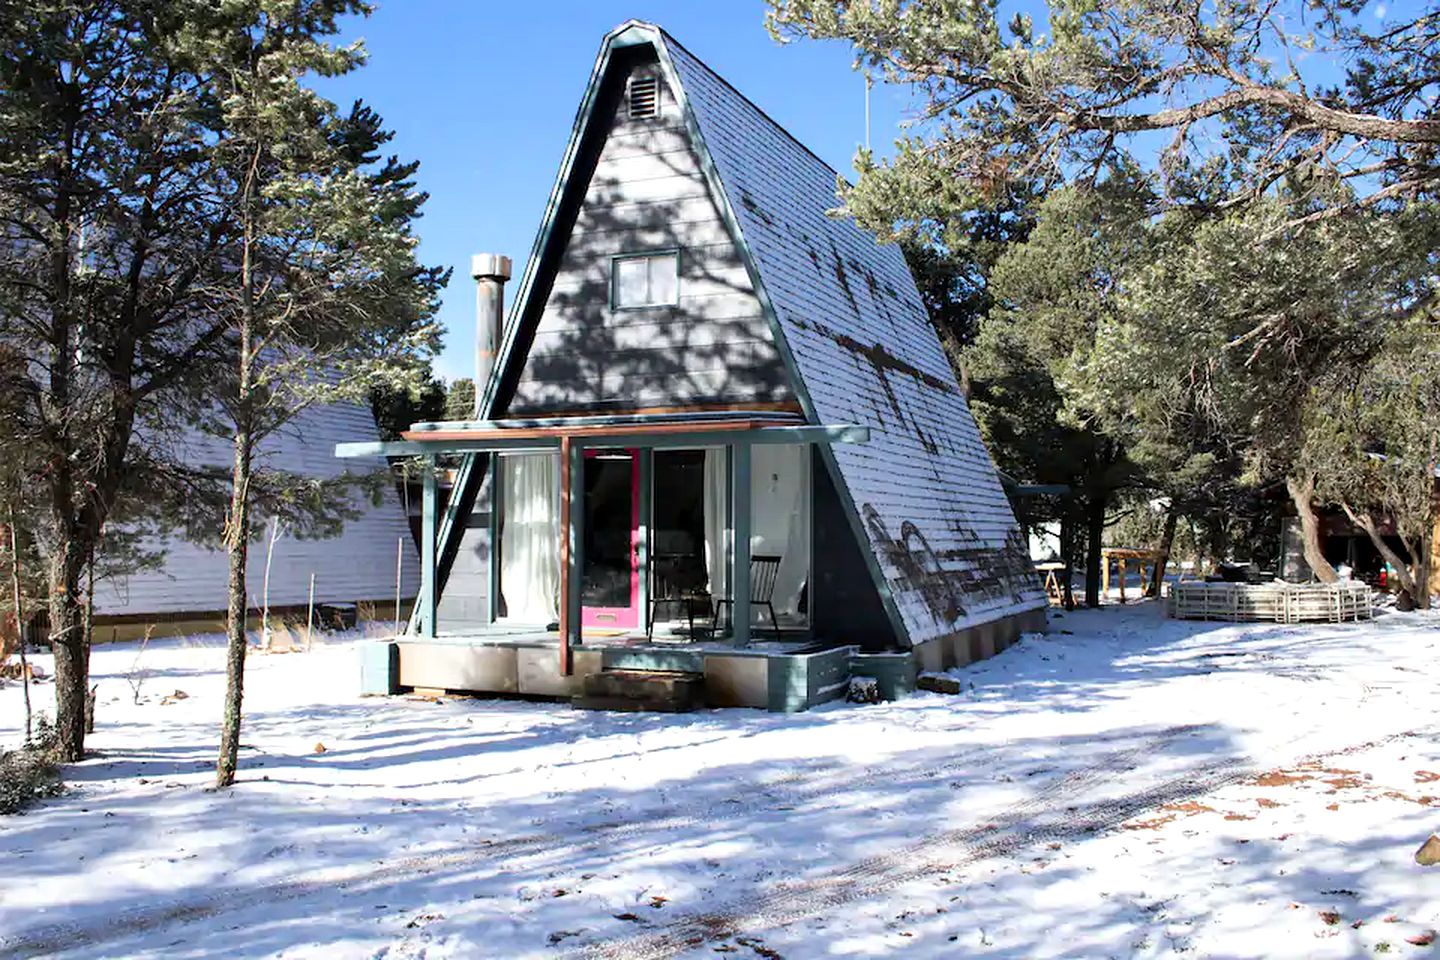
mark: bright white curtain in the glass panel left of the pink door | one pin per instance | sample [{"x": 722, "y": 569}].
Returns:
[{"x": 531, "y": 538}]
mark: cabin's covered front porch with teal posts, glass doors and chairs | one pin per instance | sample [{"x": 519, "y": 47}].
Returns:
[{"x": 675, "y": 543}]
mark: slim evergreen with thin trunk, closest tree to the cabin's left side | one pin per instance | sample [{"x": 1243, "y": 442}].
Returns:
[{"x": 326, "y": 300}]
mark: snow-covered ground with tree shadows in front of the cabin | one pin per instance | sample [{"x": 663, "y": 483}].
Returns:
[{"x": 1125, "y": 787}]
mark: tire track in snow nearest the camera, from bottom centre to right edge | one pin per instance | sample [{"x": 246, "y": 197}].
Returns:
[{"x": 1039, "y": 820}]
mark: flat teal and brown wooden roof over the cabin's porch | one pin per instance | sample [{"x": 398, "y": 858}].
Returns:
[{"x": 487, "y": 437}]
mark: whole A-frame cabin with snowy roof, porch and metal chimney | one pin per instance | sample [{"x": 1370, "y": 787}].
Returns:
[{"x": 719, "y": 437}]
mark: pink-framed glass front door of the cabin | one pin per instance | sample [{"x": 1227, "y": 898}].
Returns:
[{"x": 610, "y": 575}]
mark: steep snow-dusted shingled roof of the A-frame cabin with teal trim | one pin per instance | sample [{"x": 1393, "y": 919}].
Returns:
[{"x": 852, "y": 326}]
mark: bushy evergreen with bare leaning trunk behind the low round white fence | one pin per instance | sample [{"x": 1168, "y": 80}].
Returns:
[{"x": 1239, "y": 325}]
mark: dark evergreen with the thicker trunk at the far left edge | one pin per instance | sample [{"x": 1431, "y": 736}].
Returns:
[{"x": 109, "y": 273}]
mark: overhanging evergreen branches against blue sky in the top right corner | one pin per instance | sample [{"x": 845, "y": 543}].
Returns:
[{"x": 1242, "y": 89}]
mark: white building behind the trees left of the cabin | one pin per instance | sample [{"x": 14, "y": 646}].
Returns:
[{"x": 188, "y": 594}]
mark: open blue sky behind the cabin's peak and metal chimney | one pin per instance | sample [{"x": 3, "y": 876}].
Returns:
[{"x": 485, "y": 94}]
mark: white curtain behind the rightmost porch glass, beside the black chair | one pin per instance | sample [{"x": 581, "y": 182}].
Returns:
[{"x": 780, "y": 519}]
